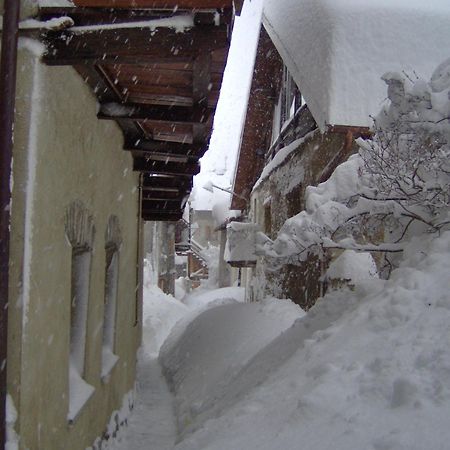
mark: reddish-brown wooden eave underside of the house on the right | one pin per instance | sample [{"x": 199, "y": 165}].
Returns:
[{"x": 258, "y": 122}]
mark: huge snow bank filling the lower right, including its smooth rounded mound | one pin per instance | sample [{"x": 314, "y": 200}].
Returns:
[{"x": 368, "y": 369}]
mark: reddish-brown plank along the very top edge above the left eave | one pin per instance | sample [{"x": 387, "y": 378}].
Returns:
[{"x": 166, "y": 4}]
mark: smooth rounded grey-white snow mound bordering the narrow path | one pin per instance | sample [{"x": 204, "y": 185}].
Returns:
[{"x": 202, "y": 362}]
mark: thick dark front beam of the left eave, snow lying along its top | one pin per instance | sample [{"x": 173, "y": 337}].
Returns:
[{"x": 71, "y": 47}]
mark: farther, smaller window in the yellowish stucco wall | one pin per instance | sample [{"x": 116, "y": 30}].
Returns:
[{"x": 113, "y": 241}]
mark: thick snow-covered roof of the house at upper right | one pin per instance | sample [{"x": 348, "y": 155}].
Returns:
[{"x": 337, "y": 50}]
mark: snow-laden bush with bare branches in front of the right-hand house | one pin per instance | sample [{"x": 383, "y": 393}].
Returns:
[{"x": 398, "y": 184}]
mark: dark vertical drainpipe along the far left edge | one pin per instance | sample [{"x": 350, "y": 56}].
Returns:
[{"x": 7, "y": 98}]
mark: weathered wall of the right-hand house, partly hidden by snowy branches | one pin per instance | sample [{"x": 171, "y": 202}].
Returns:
[{"x": 280, "y": 196}]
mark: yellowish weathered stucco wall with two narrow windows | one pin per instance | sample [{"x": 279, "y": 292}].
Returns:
[{"x": 63, "y": 153}]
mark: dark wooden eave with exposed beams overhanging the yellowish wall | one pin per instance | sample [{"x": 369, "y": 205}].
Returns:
[{"x": 159, "y": 84}]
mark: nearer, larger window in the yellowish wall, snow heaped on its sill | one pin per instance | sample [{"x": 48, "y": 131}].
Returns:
[{"x": 80, "y": 233}]
